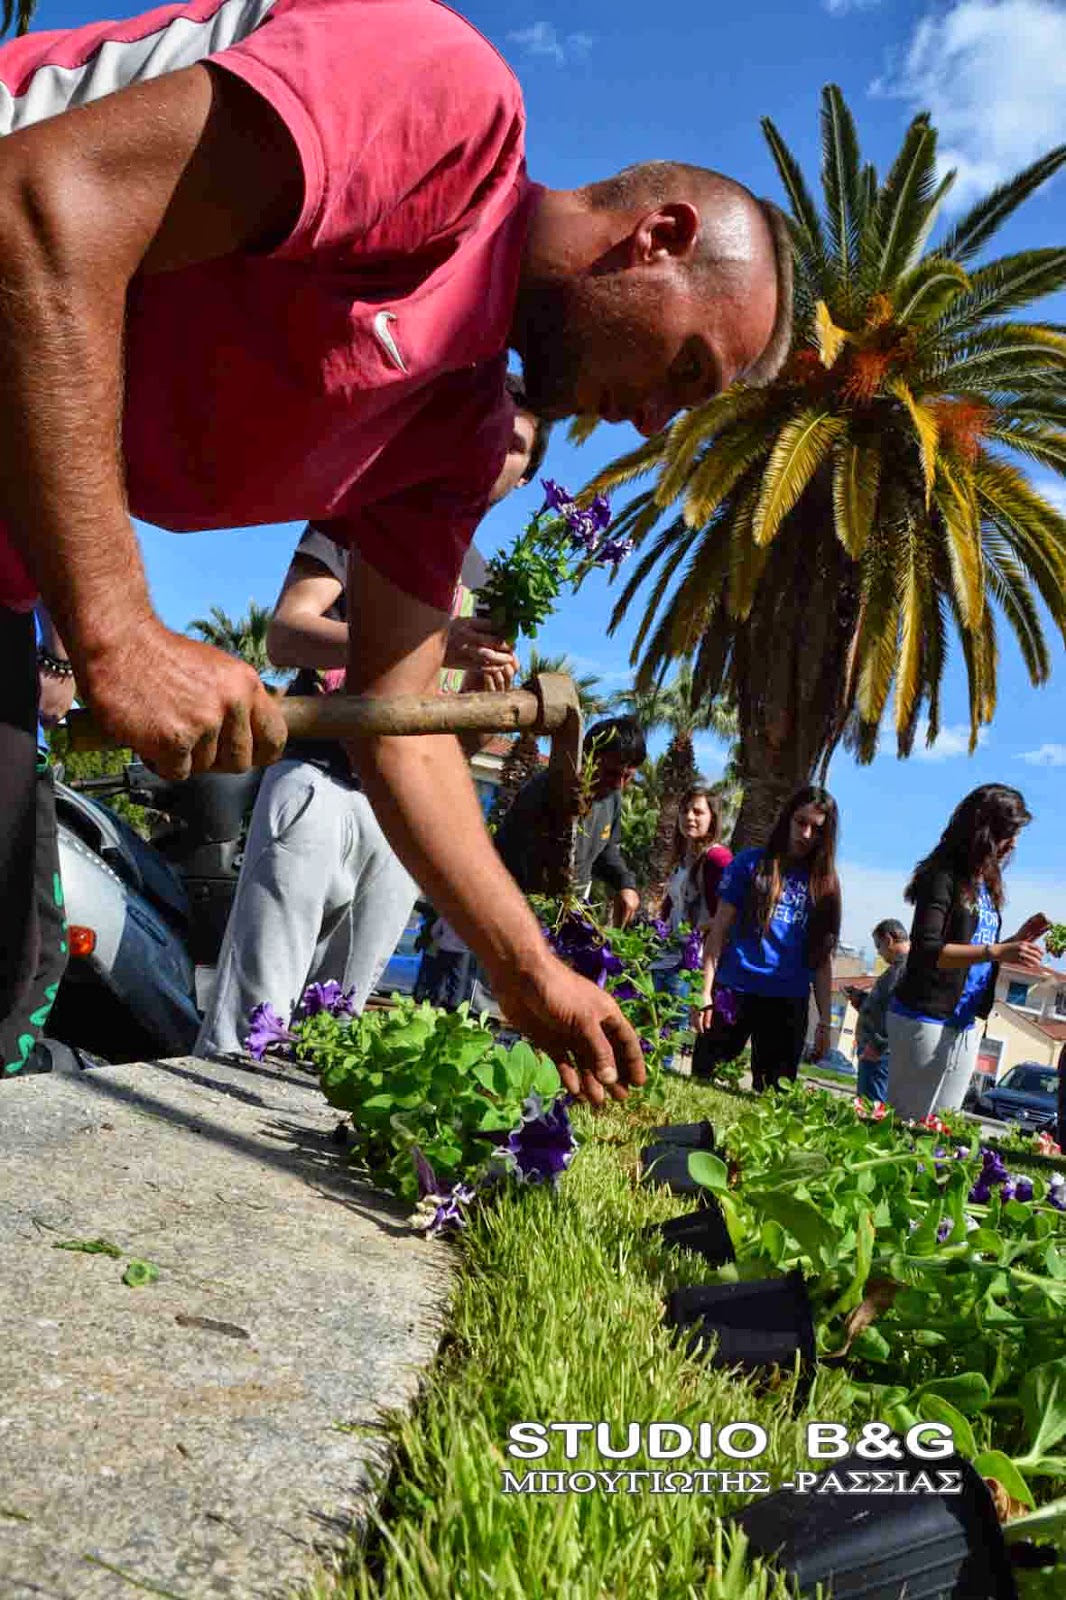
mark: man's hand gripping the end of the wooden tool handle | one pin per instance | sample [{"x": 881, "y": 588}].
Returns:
[{"x": 183, "y": 706}]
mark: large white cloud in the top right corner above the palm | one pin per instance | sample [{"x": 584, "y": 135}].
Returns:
[{"x": 993, "y": 76}]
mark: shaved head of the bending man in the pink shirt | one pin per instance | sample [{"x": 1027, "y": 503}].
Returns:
[{"x": 654, "y": 290}]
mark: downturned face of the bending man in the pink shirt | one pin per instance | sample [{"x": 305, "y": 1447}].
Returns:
[{"x": 644, "y": 342}]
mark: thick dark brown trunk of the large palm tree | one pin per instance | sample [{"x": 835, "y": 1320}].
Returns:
[{"x": 790, "y": 666}]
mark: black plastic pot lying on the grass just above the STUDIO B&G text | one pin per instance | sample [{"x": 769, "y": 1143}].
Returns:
[{"x": 751, "y": 1326}]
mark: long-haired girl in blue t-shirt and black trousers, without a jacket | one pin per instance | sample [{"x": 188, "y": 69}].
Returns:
[{"x": 771, "y": 943}]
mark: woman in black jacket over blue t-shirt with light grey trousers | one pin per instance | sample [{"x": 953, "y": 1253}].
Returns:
[{"x": 950, "y": 978}]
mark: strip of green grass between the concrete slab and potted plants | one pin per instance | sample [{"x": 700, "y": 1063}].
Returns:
[{"x": 558, "y": 1318}]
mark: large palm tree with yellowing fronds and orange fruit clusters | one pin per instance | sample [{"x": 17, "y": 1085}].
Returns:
[{"x": 832, "y": 532}]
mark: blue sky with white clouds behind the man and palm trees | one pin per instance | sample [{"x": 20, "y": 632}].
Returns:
[{"x": 609, "y": 84}]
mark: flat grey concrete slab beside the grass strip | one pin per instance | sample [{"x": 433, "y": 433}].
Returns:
[{"x": 210, "y": 1436}]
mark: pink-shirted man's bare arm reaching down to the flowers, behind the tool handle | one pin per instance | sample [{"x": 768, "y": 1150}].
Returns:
[{"x": 427, "y": 804}]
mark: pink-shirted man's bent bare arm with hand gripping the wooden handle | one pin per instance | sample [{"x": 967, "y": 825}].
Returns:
[{"x": 162, "y": 175}]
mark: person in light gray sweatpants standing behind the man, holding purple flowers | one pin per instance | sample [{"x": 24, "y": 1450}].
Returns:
[{"x": 321, "y": 894}]
